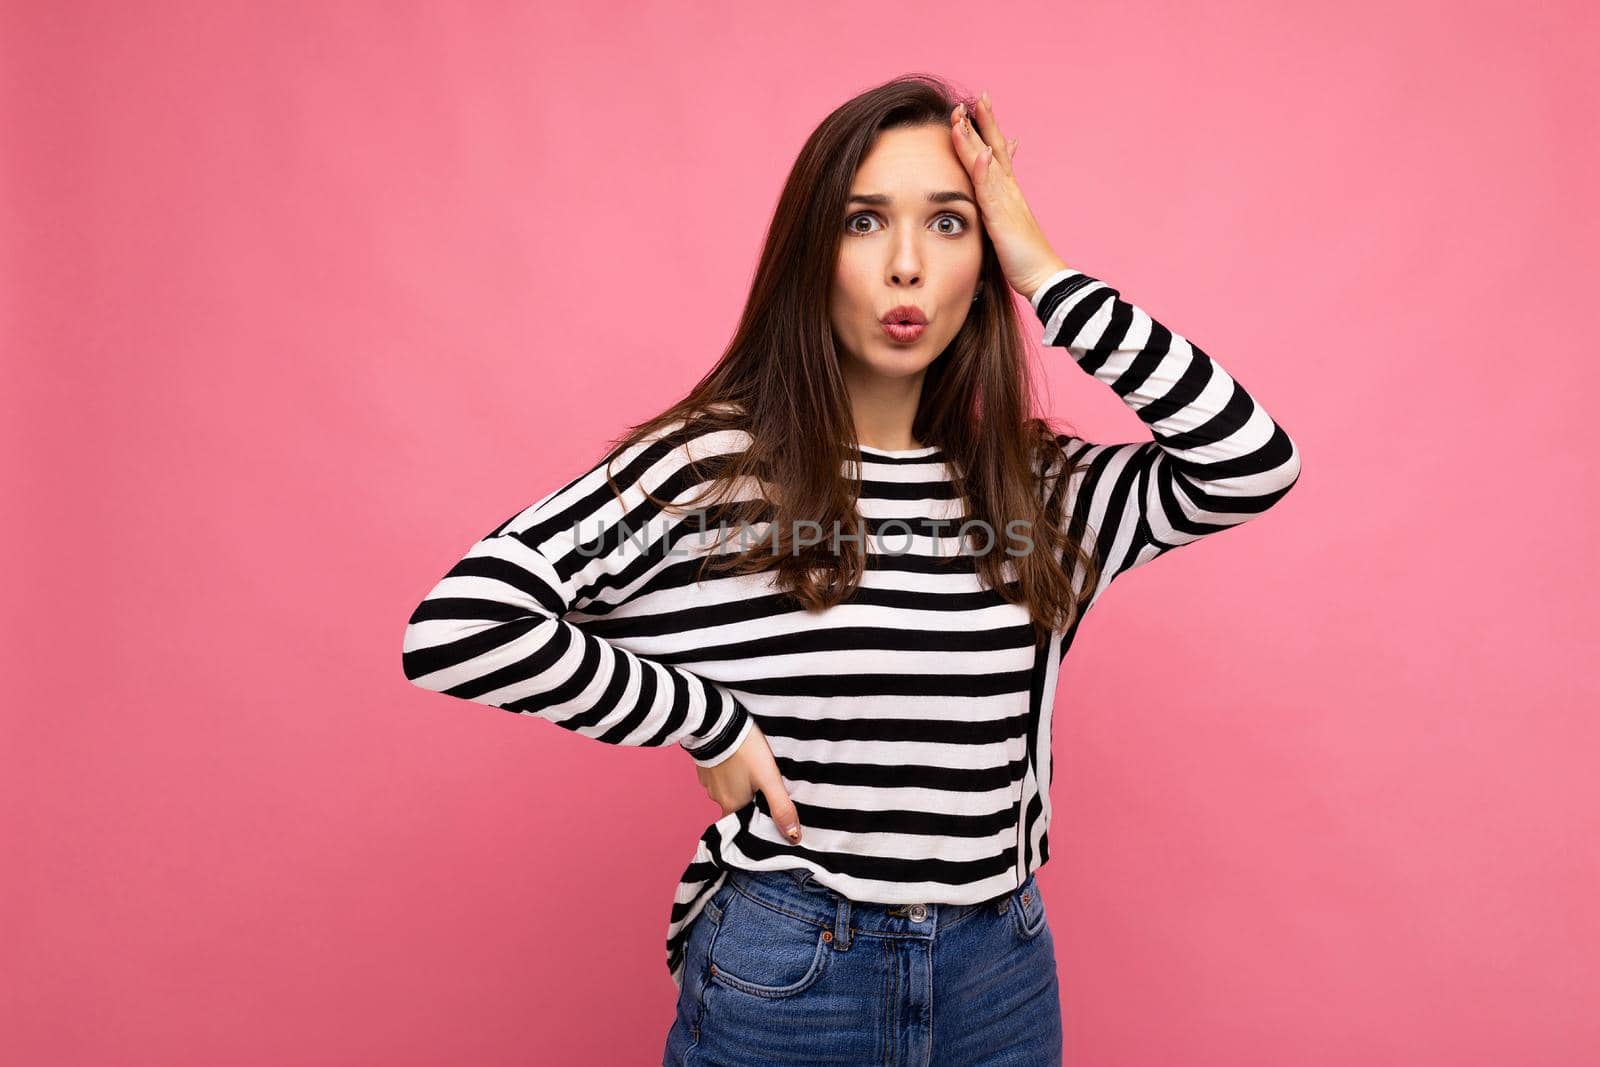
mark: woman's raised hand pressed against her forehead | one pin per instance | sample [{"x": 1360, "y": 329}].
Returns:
[{"x": 1026, "y": 257}]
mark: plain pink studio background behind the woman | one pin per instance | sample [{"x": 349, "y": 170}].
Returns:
[{"x": 300, "y": 300}]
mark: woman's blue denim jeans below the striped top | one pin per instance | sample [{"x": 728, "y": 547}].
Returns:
[{"x": 783, "y": 970}]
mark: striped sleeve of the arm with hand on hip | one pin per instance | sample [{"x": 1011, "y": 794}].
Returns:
[{"x": 495, "y": 629}]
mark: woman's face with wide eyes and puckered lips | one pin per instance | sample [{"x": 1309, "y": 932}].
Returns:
[{"x": 911, "y": 239}]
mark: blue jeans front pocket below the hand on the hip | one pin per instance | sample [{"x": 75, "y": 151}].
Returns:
[{"x": 766, "y": 953}]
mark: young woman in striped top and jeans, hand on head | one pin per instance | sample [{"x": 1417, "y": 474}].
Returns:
[{"x": 842, "y": 575}]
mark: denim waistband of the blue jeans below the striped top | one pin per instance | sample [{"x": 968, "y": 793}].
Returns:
[{"x": 796, "y": 893}]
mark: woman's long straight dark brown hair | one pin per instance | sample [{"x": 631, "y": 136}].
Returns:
[{"x": 780, "y": 382}]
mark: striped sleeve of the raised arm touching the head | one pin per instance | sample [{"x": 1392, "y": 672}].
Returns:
[{"x": 1218, "y": 458}]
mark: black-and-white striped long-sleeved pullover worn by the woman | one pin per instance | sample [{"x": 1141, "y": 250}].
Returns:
[{"x": 911, "y": 722}]
